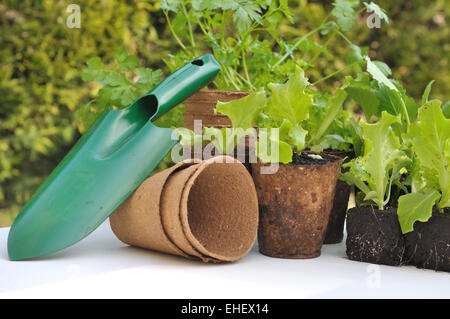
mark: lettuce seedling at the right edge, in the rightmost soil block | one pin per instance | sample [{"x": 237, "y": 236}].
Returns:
[{"x": 431, "y": 178}]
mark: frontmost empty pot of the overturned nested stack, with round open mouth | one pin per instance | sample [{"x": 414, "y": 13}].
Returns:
[{"x": 211, "y": 195}]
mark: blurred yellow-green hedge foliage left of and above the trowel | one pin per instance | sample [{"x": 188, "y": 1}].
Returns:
[{"x": 40, "y": 80}]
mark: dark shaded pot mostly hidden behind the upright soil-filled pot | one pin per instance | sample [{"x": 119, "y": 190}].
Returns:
[{"x": 335, "y": 228}]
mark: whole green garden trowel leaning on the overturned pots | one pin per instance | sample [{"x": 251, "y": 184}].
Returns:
[{"x": 104, "y": 167}]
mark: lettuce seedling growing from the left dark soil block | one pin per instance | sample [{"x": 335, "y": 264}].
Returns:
[{"x": 386, "y": 161}]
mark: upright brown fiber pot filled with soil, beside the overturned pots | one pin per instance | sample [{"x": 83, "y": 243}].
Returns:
[{"x": 295, "y": 204}]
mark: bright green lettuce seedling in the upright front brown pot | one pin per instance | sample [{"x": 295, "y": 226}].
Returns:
[{"x": 286, "y": 108}]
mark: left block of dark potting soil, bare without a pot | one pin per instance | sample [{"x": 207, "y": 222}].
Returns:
[{"x": 375, "y": 236}]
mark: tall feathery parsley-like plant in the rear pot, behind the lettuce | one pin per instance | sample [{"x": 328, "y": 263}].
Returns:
[{"x": 244, "y": 37}]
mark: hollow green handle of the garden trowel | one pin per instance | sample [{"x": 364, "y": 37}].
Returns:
[{"x": 184, "y": 82}]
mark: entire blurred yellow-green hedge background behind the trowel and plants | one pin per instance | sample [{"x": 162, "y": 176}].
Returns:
[{"x": 41, "y": 59}]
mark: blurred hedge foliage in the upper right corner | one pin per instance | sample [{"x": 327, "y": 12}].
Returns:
[{"x": 415, "y": 44}]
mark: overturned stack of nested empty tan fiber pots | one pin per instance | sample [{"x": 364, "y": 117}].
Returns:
[{"x": 206, "y": 211}]
